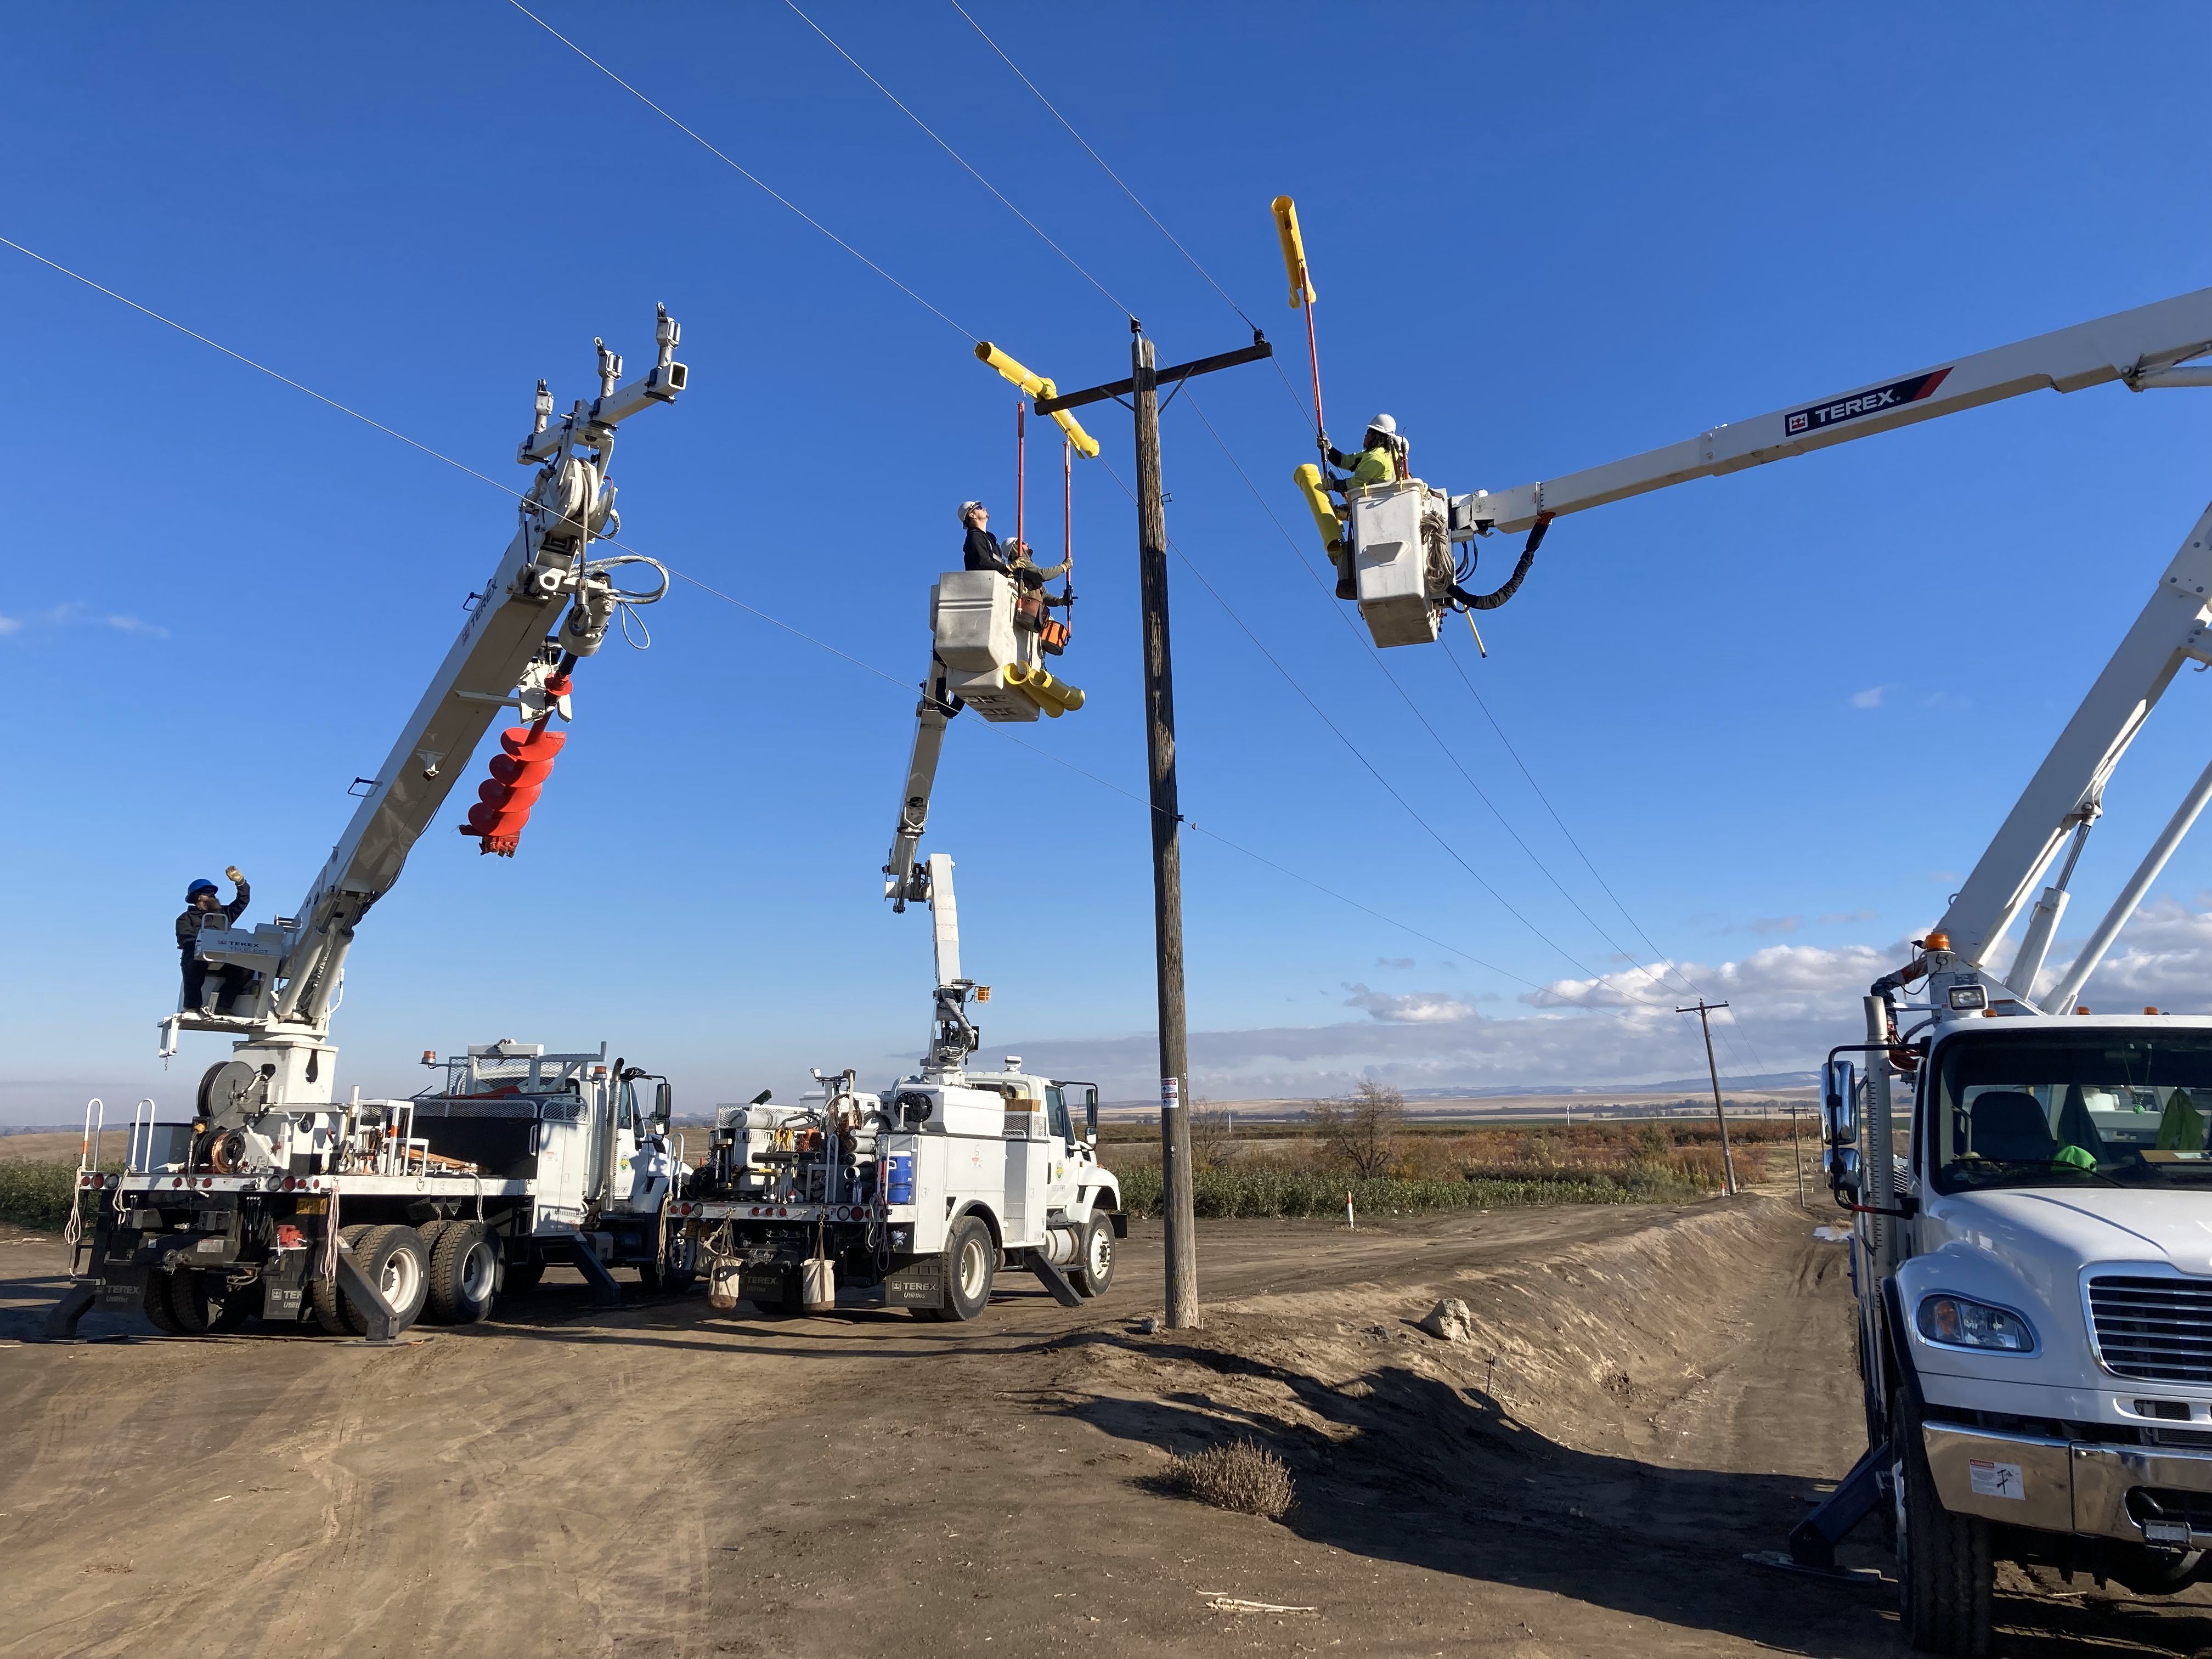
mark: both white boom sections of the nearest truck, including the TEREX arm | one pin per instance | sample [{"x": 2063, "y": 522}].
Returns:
[{"x": 2145, "y": 348}]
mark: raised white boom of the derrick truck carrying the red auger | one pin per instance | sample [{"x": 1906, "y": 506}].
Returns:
[{"x": 514, "y": 651}]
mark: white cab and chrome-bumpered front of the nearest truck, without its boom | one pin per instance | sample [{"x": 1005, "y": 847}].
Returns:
[{"x": 2036, "y": 1300}]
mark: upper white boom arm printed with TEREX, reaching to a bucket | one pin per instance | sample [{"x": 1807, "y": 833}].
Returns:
[{"x": 2138, "y": 348}]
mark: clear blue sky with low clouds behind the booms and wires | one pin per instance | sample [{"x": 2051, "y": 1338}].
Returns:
[{"x": 1782, "y": 713}]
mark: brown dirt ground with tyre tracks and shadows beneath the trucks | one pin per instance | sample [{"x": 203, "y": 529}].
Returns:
[{"x": 1649, "y": 1395}]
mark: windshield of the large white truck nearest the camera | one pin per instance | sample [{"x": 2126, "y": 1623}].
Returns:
[{"x": 2103, "y": 1109}]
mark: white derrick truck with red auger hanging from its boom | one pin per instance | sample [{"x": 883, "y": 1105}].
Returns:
[{"x": 284, "y": 1202}]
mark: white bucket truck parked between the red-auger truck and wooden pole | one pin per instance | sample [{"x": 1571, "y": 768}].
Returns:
[{"x": 917, "y": 1196}]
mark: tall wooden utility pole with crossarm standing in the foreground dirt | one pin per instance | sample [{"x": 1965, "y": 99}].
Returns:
[{"x": 1142, "y": 393}]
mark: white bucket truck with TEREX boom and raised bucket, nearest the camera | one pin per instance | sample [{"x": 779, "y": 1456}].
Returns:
[{"x": 2030, "y": 1249}]
